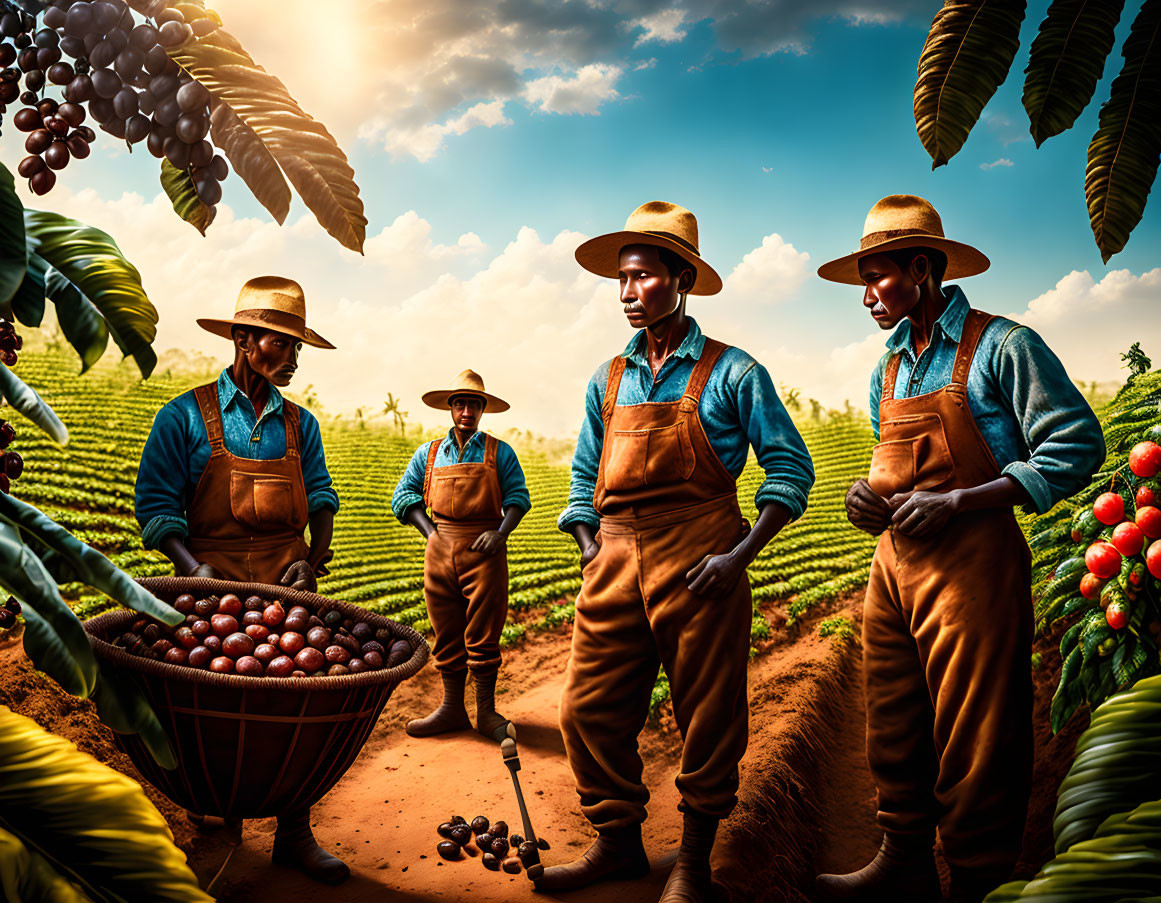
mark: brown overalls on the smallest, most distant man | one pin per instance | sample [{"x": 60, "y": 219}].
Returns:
[{"x": 466, "y": 591}]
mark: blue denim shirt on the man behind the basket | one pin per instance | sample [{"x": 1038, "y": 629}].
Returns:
[{"x": 178, "y": 450}]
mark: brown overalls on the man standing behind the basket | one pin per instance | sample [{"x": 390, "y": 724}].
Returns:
[{"x": 248, "y": 517}]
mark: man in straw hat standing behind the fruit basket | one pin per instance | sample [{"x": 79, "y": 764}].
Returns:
[{"x": 233, "y": 474}]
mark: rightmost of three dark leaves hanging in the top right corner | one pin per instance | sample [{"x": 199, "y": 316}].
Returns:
[{"x": 1123, "y": 155}]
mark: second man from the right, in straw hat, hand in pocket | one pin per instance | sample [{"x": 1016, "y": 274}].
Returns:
[{"x": 654, "y": 509}]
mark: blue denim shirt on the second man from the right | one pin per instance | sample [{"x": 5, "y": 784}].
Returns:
[{"x": 739, "y": 409}]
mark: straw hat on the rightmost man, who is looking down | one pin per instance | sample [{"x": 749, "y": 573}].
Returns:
[{"x": 905, "y": 221}]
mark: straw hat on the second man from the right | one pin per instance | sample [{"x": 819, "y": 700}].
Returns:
[{"x": 657, "y": 223}]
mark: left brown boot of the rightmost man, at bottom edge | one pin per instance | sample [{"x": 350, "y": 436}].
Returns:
[{"x": 905, "y": 869}]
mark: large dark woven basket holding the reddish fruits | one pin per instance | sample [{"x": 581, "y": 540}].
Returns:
[{"x": 253, "y": 747}]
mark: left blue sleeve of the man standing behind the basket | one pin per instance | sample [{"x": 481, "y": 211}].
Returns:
[{"x": 162, "y": 479}]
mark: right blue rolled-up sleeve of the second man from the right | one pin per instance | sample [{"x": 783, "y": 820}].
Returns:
[{"x": 777, "y": 443}]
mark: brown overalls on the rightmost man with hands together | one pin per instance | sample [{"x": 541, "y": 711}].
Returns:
[{"x": 947, "y": 635}]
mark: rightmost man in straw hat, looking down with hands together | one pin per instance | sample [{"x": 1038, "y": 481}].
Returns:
[{"x": 975, "y": 416}]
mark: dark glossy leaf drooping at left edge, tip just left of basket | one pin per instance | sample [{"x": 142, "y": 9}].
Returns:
[{"x": 54, "y": 638}]
